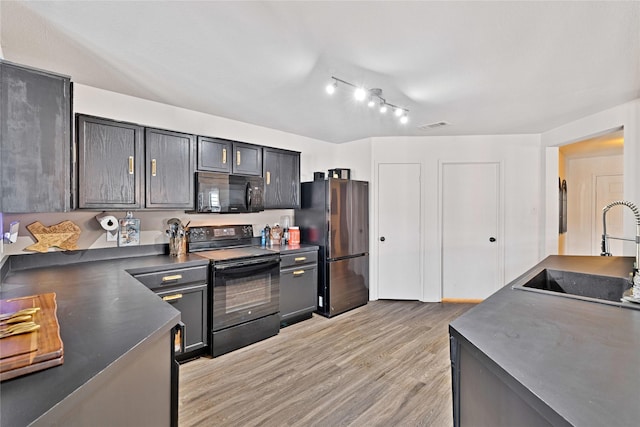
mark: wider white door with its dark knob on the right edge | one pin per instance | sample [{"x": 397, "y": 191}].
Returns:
[{"x": 470, "y": 225}]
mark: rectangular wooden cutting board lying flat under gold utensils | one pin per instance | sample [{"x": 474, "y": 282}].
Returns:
[{"x": 33, "y": 351}]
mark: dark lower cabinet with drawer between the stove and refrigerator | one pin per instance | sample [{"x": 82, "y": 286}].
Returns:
[{"x": 298, "y": 286}]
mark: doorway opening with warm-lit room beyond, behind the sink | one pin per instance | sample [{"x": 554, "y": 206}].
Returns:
[{"x": 591, "y": 174}]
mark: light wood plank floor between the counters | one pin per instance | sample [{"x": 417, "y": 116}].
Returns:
[{"x": 384, "y": 364}]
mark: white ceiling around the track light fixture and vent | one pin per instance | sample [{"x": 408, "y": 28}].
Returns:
[{"x": 484, "y": 67}]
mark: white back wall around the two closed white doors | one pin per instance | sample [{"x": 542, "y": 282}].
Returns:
[{"x": 520, "y": 156}]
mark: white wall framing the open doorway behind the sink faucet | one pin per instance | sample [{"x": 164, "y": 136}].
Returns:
[{"x": 626, "y": 116}]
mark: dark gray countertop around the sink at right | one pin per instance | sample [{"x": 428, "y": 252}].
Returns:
[{"x": 579, "y": 358}]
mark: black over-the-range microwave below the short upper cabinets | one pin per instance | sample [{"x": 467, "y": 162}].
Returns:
[{"x": 224, "y": 193}]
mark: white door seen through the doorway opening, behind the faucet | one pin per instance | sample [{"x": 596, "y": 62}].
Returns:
[{"x": 609, "y": 188}]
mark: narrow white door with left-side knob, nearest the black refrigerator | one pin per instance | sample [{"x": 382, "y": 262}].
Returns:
[{"x": 398, "y": 237}]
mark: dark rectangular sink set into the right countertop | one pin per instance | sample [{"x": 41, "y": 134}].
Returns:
[{"x": 587, "y": 287}]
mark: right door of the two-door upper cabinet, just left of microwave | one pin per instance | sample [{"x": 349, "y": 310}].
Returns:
[{"x": 170, "y": 167}]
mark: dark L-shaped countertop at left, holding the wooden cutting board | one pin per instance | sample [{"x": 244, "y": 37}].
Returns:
[{"x": 103, "y": 312}]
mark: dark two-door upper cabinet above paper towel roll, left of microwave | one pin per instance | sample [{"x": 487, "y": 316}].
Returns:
[{"x": 127, "y": 166}]
